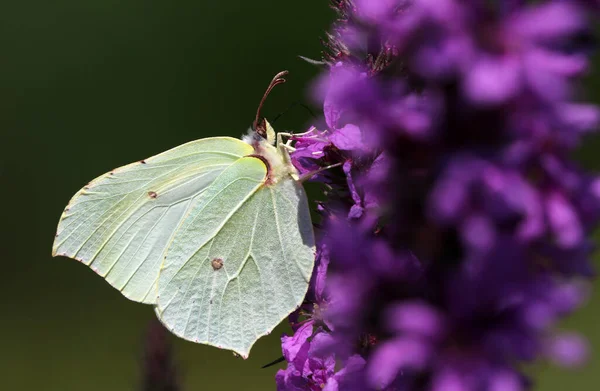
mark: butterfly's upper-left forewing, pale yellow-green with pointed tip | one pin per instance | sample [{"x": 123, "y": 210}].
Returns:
[{"x": 121, "y": 223}]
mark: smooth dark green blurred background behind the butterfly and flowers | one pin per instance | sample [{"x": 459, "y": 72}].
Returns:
[{"x": 89, "y": 85}]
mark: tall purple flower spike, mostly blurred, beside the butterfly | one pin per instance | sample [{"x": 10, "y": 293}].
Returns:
[{"x": 455, "y": 231}]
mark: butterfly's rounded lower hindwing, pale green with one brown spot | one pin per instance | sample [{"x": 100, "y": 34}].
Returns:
[{"x": 240, "y": 262}]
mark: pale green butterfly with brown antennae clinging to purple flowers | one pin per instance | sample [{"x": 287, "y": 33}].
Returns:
[{"x": 215, "y": 233}]
